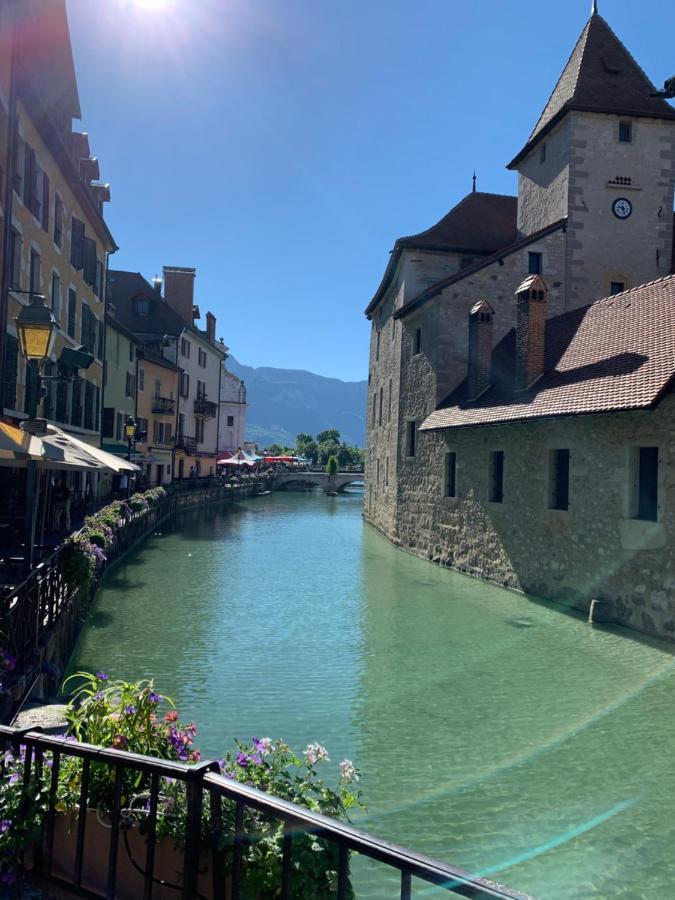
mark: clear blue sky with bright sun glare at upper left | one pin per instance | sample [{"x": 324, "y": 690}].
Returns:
[{"x": 281, "y": 146}]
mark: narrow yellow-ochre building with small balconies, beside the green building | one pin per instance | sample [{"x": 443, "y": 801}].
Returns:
[{"x": 157, "y": 392}]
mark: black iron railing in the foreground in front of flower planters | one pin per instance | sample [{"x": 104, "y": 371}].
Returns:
[{"x": 44, "y": 756}]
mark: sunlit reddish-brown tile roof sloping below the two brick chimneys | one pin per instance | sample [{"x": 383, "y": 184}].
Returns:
[{"x": 616, "y": 354}]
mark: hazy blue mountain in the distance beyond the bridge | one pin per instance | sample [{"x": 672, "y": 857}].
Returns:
[{"x": 284, "y": 402}]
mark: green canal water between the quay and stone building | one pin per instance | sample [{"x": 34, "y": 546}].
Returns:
[{"x": 494, "y": 732}]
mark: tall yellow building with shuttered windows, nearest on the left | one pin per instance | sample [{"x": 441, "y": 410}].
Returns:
[{"x": 58, "y": 241}]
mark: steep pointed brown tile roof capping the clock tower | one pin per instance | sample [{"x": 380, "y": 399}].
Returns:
[{"x": 600, "y": 76}]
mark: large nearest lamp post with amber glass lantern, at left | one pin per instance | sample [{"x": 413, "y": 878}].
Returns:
[{"x": 36, "y": 327}]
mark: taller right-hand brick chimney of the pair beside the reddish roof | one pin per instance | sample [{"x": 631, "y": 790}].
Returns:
[{"x": 530, "y": 331}]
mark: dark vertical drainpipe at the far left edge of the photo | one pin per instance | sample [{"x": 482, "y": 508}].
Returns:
[{"x": 12, "y": 131}]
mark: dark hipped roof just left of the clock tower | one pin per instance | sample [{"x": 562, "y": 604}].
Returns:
[{"x": 480, "y": 223}]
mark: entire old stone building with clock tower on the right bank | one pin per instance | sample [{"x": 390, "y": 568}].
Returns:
[{"x": 485, "y": 309}]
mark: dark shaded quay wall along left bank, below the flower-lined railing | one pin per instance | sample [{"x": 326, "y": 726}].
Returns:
[{"x": 40, "y": 674}]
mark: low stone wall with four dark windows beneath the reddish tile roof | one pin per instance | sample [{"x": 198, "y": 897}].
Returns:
[{"x": 592, "y": 550}]
